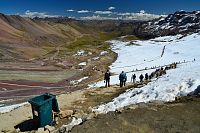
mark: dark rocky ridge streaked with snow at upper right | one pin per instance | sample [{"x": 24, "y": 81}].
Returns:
[{"x": 181, "y": 22}]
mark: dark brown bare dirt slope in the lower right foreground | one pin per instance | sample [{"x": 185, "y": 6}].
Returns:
[{"x": 177, "y": 117}]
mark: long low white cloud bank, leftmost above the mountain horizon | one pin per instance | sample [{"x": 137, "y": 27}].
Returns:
[{"x": 30, "y": 14}]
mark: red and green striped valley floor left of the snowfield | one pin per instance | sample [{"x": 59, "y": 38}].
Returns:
[{"x": 21, "y": 81}]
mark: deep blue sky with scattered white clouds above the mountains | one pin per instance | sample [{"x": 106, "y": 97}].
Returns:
[{"x": 81, "y": 8}]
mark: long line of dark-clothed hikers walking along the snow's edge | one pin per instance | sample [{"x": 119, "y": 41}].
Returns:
[{"x": 123, "y": 78}]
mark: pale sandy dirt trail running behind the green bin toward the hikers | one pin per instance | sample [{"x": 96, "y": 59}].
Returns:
[{"x": 81, "y": 99}]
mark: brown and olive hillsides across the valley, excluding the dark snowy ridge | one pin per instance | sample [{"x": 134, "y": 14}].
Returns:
[{"x": 26, "y": 38}]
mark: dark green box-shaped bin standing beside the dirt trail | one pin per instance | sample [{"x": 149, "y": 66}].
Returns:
[{"x": 42, "y": 107}]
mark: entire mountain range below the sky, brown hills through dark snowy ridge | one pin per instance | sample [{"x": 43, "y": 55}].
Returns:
[{"x": 19, "y": 34}]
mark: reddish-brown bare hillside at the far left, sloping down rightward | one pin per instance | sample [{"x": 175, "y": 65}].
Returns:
[{"x": 23, "y": 38}]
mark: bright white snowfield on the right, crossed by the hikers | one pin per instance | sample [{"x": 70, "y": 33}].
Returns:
[{"x": 146, "y": 54}]
